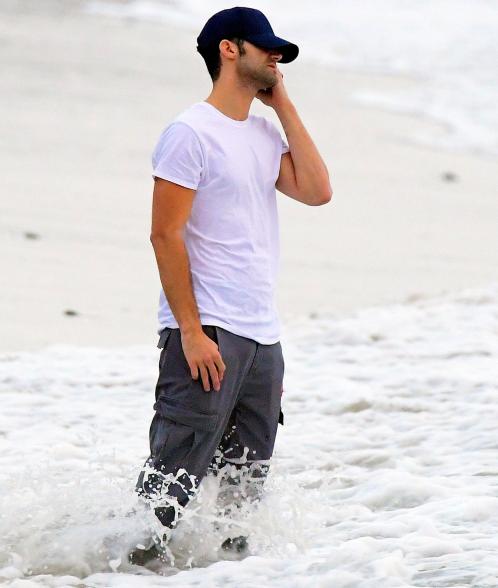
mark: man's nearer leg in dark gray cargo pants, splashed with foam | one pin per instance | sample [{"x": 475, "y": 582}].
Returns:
[{"x": 189, "y": 422}]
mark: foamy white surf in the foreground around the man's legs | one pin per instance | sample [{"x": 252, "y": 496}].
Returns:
[{"x": 385, "y": 473}]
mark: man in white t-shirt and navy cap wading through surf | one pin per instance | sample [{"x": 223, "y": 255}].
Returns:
[{"x": 215, "y": 237}]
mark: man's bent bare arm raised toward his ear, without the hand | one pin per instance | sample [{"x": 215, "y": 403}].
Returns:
[{"x": 303, "y": 174}]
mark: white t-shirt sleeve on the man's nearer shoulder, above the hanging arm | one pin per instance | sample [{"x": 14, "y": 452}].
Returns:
[{"x": 178, "y": 156}]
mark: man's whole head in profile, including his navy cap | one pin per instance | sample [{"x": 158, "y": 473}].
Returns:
[{"x": 242, "y": 40}]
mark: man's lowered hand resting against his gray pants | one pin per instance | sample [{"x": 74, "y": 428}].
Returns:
[{"x": 203, "y": 356}]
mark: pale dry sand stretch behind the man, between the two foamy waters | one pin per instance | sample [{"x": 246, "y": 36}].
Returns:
[{"x": 86, "y": 97}]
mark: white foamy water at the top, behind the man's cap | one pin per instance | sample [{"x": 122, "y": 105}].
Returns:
[{"x": 449, "y": 46}]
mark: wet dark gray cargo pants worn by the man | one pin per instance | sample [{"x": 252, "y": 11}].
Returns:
[{"x": 194, "y": 432}]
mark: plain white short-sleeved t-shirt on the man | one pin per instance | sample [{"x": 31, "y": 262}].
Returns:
[{"x": 232, "y": 234}]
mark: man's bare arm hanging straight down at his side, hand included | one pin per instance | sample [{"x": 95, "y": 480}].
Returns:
[{"x": 171, "y": 208}]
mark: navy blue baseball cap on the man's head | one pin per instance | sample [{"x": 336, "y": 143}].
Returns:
[{"x": 249, "y": 24}]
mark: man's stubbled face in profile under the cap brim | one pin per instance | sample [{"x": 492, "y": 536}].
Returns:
[{"x": 258, "y": 66}]
